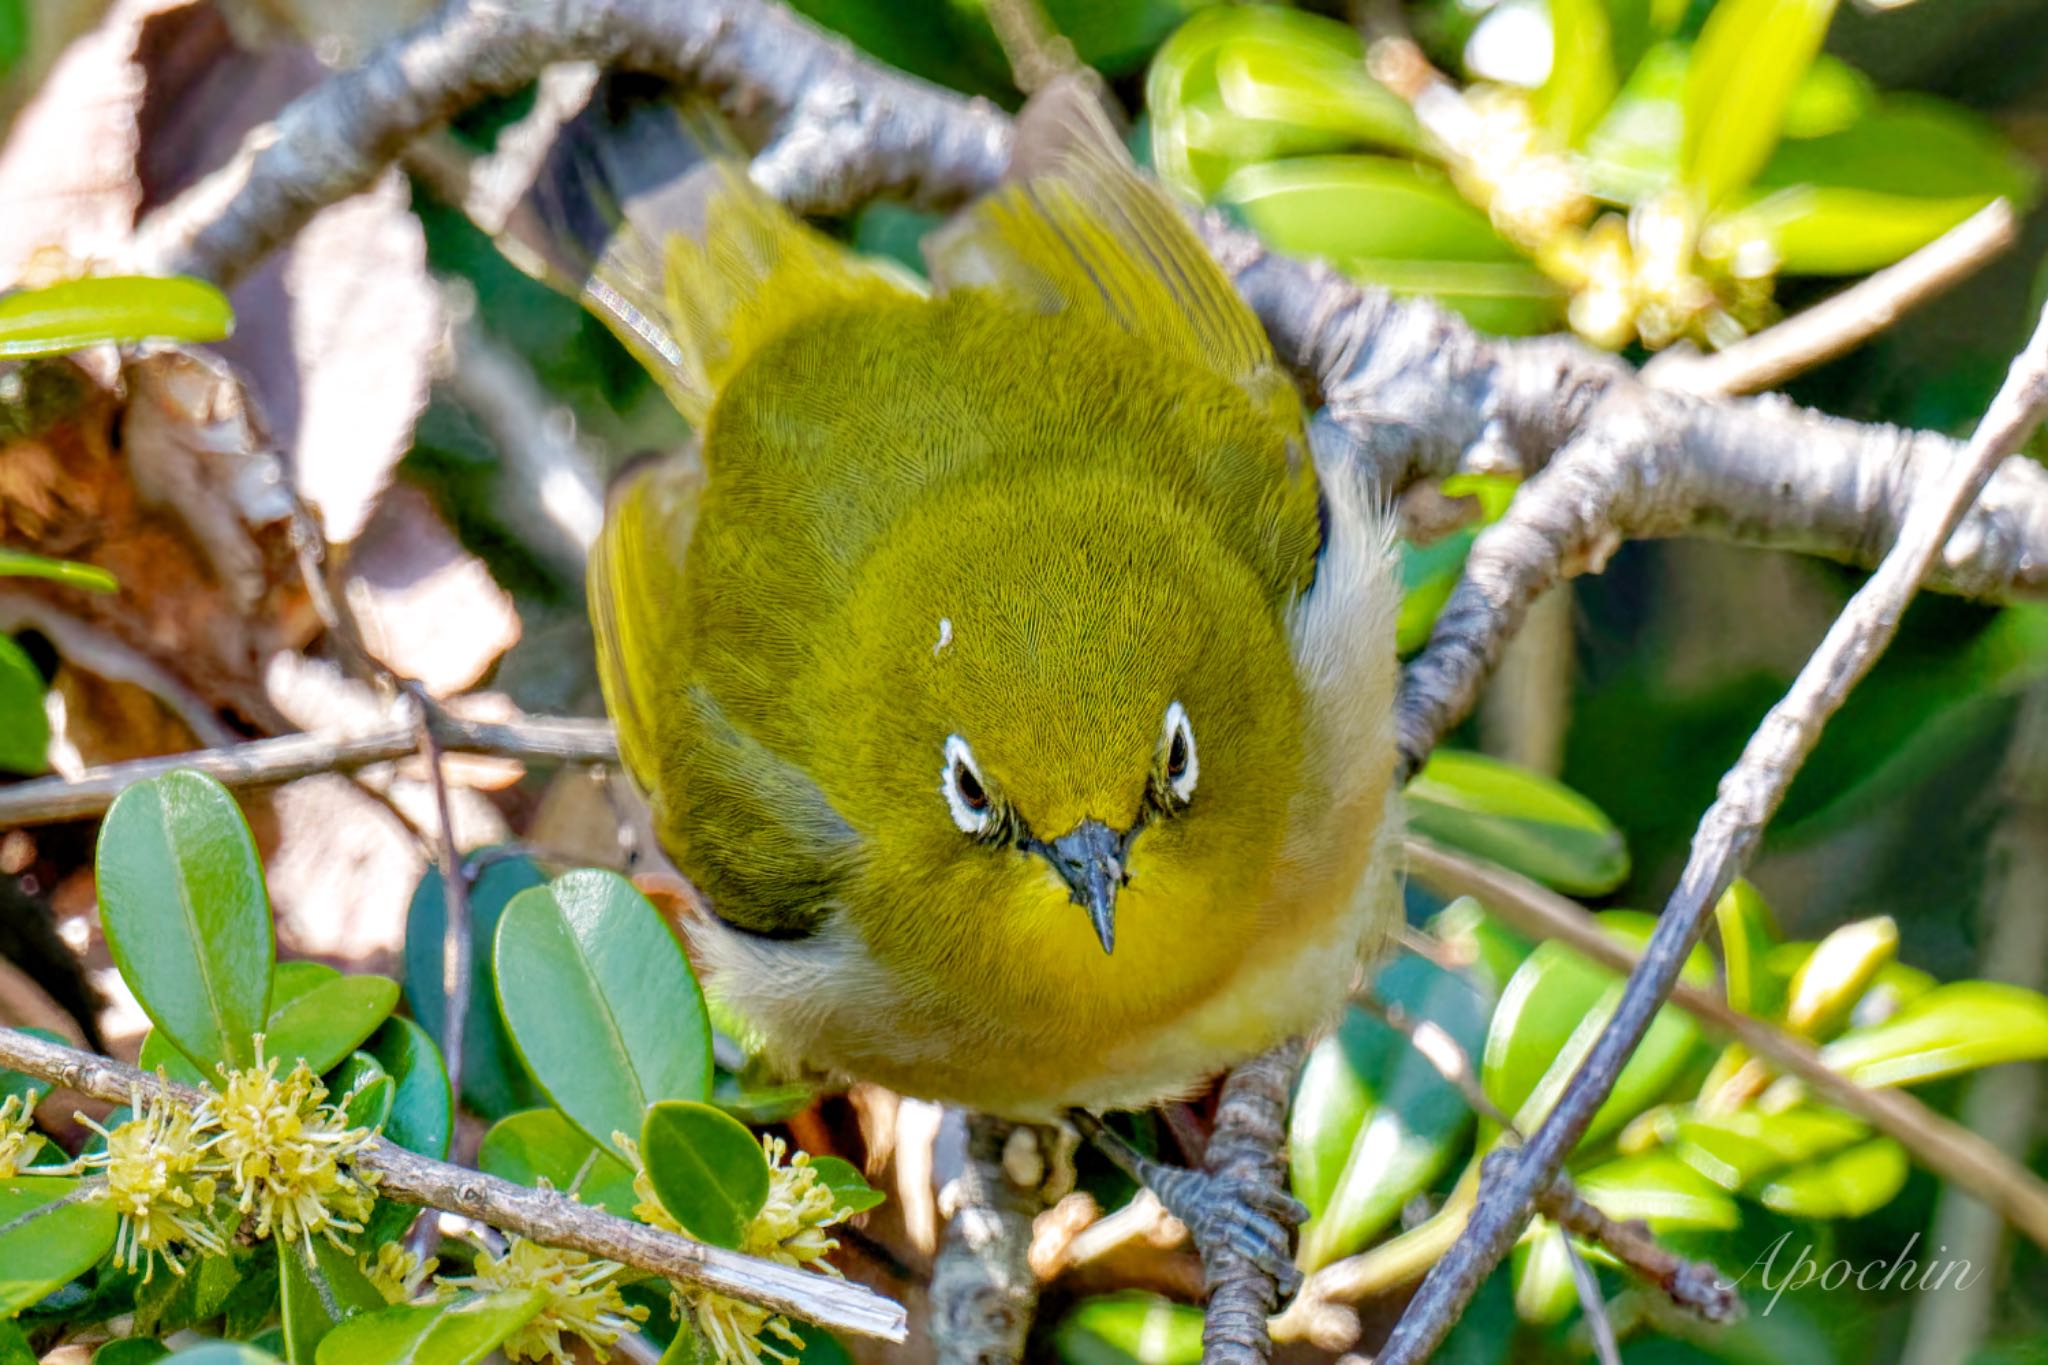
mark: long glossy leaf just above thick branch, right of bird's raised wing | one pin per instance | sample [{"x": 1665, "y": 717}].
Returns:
[{"x": 1402, "y": 226}]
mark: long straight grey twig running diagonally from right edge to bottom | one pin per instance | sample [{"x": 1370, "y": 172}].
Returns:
[{"x": 1727, "y": 838}]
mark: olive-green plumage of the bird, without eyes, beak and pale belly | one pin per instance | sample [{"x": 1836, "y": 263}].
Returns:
[{"x": 1031, "y": 511}]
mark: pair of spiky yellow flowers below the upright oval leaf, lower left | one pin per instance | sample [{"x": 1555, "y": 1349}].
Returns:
[{"x": 263, "y": 1149}]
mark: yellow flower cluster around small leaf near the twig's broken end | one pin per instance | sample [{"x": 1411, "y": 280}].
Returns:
[{"x": 790, "y": 1229}]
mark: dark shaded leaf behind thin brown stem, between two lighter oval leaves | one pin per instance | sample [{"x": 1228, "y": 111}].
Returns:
[{"x": 495, "y": 1080}]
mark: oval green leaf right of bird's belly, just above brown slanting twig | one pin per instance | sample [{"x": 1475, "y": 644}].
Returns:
[{"x": 1519, "y": 820}]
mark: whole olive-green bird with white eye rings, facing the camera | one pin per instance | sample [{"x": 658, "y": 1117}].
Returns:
[{"x": 1002, "y": 662}]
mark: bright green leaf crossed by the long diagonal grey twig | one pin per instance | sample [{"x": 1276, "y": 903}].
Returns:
[{"x": 1553, "y": 1012}]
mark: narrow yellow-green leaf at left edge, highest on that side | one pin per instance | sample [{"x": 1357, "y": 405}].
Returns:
[{"x": 77, "y": 314}]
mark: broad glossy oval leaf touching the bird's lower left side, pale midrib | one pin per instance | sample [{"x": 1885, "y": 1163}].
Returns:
[{"x": 601, "y": 1002}]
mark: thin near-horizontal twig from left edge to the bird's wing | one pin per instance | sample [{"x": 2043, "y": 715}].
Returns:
[{"x": 288, "y": 758}]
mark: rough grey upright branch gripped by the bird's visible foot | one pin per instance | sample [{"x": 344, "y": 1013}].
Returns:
[{"x": 1248, "y": 1145}]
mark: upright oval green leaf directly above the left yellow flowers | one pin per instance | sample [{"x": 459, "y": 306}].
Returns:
[{"x": 187, "y": 914}]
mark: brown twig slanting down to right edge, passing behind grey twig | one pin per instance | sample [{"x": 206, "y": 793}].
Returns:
[{"x": 1945, "y": 1147}]
